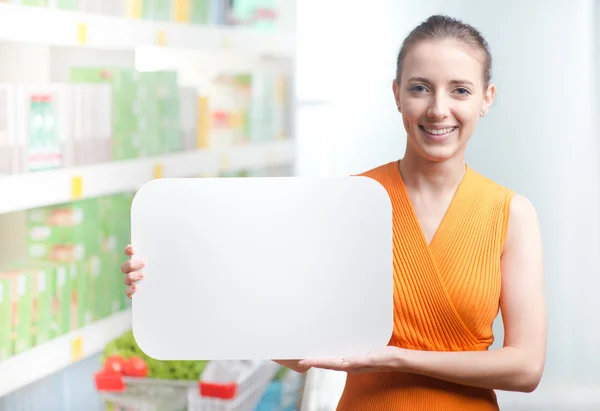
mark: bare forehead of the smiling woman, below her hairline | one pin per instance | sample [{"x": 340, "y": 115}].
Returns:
[{"x": 441, "y": 61}]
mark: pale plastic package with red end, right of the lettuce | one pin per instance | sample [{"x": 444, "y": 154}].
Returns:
[{"x": 231, "y": 385}]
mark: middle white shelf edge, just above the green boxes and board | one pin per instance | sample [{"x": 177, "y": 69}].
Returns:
[{"x": 31, "y": 190}]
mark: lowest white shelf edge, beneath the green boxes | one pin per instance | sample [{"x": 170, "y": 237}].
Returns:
[{"x": 55, "y": 355}]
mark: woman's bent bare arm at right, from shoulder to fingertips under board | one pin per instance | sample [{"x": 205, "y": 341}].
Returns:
[{"x": 519, "y": 364}]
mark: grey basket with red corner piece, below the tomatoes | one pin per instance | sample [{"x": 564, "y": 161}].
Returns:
[{"x": 142, "y": 394}]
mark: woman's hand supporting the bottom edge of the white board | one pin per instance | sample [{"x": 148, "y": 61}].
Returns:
[{"x": 380, "y": 360}]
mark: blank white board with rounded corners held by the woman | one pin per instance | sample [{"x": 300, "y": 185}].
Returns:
[{"x": 262, "y": 268}]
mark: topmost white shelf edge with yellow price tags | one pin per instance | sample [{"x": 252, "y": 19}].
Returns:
[{"x": 69, "y": 28}]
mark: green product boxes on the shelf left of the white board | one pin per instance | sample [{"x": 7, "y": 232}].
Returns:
[{"x": 68, "y": 279}]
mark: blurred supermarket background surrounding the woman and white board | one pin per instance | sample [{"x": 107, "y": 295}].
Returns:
[{"x": 98, "y": 97}]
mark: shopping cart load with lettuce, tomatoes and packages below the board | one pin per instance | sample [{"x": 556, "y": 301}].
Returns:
[{"x": 128, "y": 378}]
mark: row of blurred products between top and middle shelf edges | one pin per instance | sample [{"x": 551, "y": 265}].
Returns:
[{"x": 108, "y": 114}]
